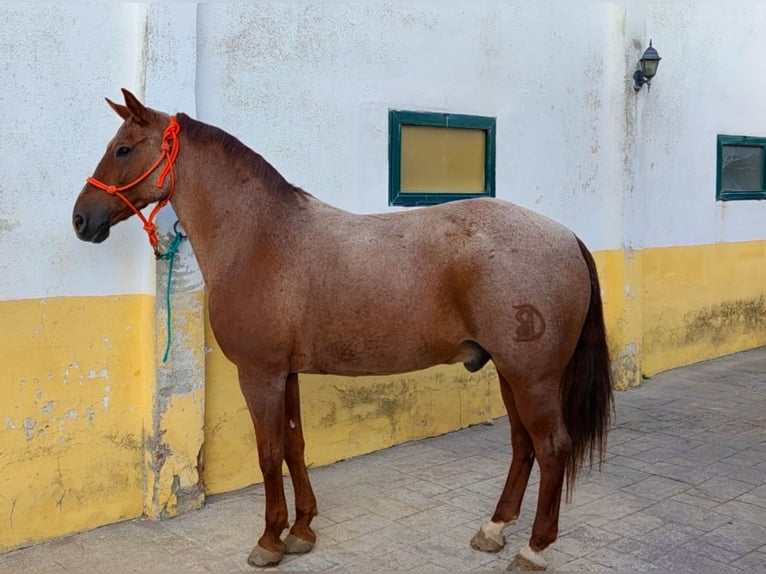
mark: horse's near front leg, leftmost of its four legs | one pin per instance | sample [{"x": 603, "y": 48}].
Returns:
[{"x": 265, "y": 396}]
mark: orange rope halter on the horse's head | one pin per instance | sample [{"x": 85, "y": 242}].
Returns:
[{"x": 170, "y": 152}]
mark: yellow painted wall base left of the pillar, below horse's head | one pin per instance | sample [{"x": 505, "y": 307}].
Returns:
[{"x": 73, "y": 374}]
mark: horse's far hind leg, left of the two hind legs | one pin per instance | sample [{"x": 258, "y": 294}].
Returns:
[{"x": 490, "y": 537}]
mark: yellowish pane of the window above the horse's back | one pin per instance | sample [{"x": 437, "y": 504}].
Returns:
[{"x": 442, "y": 160}]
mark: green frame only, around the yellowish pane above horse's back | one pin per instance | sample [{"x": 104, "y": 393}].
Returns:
[{"x": 399, "y": 118}]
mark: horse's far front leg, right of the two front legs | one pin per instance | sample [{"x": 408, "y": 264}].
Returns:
[{"x": 301, "y": 537}]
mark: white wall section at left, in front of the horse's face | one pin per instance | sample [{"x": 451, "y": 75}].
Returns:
[{"x": 58, "y": 63}]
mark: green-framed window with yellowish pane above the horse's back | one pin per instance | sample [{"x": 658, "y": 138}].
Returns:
[{"x": 436, "y": 157}]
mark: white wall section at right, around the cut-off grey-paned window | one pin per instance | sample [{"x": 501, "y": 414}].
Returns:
[{"x": 710, "y": 81}]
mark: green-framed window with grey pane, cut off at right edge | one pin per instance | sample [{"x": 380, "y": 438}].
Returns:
[{"x": 741, "y": 170}]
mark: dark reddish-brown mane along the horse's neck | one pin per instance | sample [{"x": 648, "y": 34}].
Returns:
[{"x": 238, "y": 151}]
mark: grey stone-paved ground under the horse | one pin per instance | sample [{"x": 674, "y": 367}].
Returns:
[{"x": 684, "y": 488}]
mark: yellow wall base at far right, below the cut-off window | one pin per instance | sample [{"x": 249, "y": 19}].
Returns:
[{"x": 702, "y": 302}]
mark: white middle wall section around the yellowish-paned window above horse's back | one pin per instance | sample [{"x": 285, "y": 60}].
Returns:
[{"x": 309, "y": 87}]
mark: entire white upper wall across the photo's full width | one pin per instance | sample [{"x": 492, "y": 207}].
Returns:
[{"x": 309, "y": 86}]
